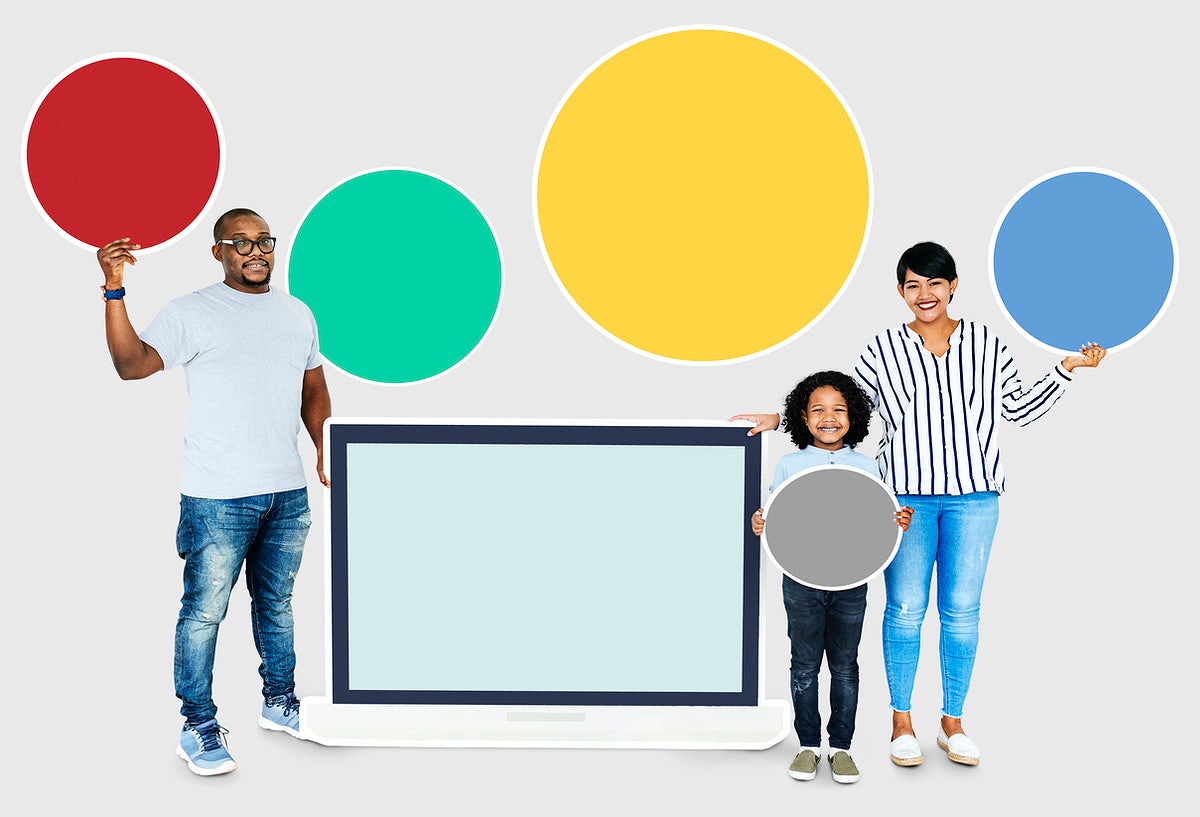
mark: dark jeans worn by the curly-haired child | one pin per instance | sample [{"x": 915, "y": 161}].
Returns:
[{"x": 830, "y": 624}]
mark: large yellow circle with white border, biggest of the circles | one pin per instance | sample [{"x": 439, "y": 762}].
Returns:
[{"x": 703, "y": 195}]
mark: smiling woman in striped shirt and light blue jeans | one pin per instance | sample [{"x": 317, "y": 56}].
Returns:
[{"x": 941, "y": 385}]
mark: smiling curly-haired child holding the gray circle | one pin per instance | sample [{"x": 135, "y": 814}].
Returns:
[{"x": 827, "y": 416}]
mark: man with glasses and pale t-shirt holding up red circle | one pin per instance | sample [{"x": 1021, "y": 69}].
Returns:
[{"x": 254, "y": 375}]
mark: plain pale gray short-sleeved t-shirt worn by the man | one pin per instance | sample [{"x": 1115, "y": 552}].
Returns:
[{"x": 244, "y": 359}]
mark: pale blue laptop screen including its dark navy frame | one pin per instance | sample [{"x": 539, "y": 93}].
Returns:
[{"x": 513, "y": 563}]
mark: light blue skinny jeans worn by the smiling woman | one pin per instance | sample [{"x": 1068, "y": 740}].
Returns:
[{"x": 953, "y": 534}]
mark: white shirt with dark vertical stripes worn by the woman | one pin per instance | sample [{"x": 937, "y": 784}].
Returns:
[{"x": 940, "y": 414}]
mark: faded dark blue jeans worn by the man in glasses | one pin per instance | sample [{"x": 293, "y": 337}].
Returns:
[{"x": 215, "y": 538}]
